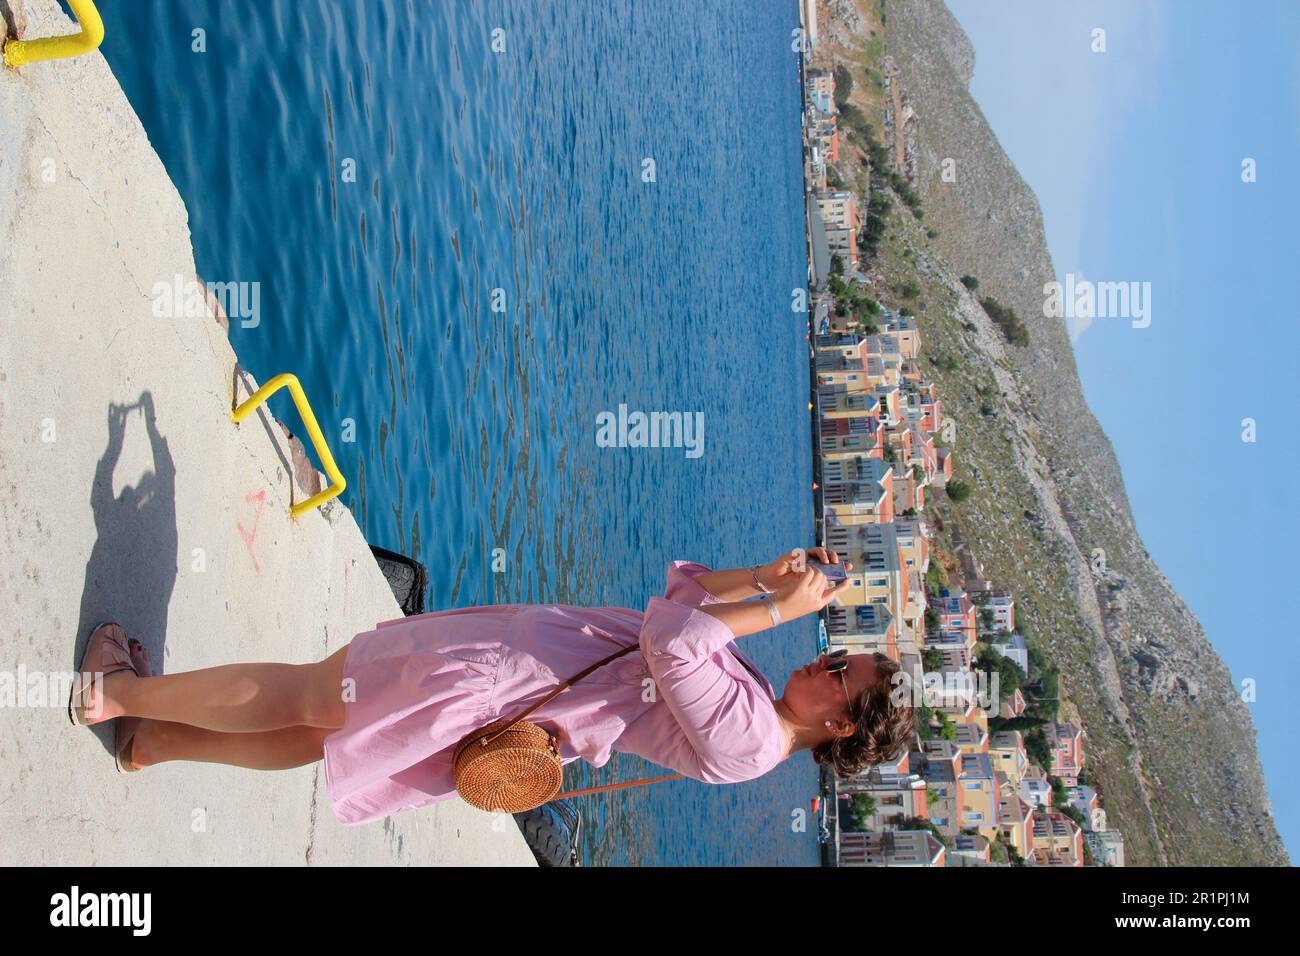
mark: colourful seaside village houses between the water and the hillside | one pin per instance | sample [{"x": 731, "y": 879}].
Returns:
[{"x": 972, "y": 794}]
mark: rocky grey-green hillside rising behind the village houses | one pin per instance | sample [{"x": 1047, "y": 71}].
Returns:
[{"x": 1169, "y": 742}]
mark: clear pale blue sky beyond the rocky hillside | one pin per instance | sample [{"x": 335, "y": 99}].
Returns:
[{"x": 1136, "y": 155}]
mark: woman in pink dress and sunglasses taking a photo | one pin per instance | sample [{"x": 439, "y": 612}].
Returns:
[{"x": 387, "y": 711}]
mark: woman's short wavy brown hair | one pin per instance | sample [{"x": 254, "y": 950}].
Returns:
[{"x": 886, "y": 726}]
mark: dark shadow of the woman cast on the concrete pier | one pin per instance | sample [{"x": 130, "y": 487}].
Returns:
[{"x": 133, "y": 566}]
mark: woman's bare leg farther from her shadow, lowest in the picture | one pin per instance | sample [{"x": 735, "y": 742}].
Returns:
[{"x": 159, "y": 742}]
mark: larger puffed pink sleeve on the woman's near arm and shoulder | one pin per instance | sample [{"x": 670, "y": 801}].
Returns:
[{"x": 730, "y": 723}]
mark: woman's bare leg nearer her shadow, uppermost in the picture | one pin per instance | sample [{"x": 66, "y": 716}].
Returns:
[{"x": 236, "y": 698}]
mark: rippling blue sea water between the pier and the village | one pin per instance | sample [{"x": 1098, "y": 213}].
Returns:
[{"x": 522, "y": 171}]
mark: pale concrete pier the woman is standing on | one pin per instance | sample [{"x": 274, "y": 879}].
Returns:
[{"x": 128, "y": 495}]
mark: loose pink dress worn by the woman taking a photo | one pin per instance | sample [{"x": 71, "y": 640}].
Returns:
[{"x": 688, "y": 700}]
